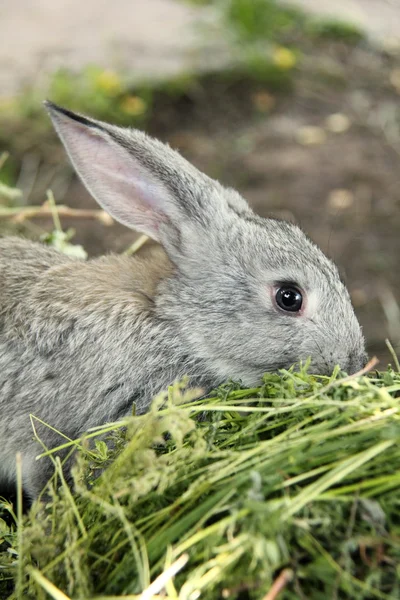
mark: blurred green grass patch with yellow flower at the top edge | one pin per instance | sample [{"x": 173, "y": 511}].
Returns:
[{"x": 266, "y": 37}]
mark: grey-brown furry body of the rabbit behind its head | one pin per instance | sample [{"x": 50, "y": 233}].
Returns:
[{"x": 72, "y": 343}]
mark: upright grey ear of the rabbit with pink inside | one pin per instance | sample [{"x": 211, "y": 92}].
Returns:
[{"x": 139, "y": 181}]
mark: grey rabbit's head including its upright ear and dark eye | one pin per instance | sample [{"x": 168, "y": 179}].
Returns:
[{"x": 249, "y": 294}]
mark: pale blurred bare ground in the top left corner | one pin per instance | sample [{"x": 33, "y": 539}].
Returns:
[{"x": 148, "y": 38}]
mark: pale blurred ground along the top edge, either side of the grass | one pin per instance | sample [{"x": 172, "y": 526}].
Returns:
[{"x": 149, "y": 38}]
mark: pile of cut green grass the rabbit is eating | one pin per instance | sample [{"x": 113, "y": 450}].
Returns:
[{"x": 294, "y": 485}]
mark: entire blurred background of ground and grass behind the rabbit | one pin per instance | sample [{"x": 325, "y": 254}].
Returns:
[{"x": 296, "y": 105}]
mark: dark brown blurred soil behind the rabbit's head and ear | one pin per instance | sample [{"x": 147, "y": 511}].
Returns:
[{"x": 343, "y": 188}]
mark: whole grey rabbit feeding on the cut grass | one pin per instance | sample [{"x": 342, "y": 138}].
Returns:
[{"x": 224, "y": 294}]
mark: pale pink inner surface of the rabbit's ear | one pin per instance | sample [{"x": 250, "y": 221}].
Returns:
[{"x": 126, "y": 189}]
